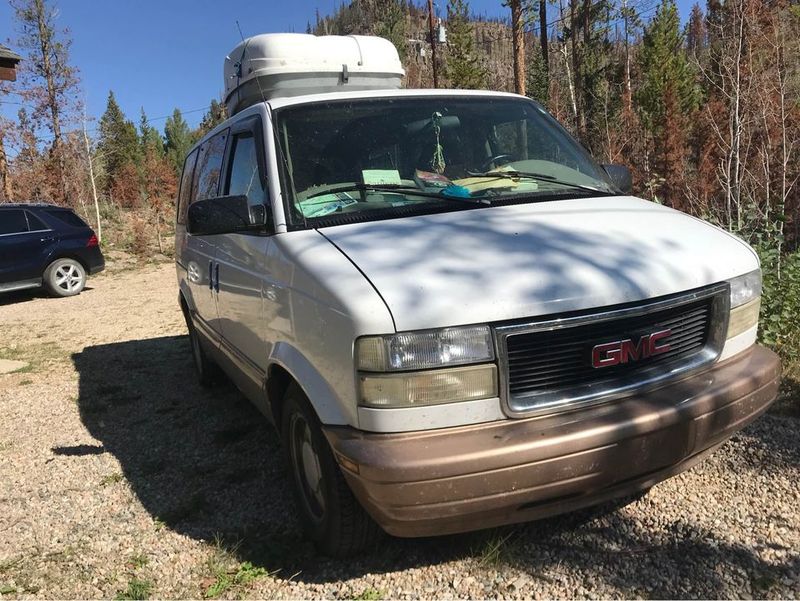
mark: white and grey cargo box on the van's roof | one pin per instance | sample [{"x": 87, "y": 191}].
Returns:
[{"x": 272, "y": 65}]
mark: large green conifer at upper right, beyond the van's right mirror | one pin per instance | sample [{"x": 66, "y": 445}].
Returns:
[{"x": 664, "y": 68}]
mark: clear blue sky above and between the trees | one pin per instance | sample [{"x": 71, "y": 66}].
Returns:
[{"x": 167, "y": 54}]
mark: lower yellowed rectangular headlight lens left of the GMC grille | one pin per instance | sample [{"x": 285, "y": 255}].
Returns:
[{"x": 432, "y": 387}]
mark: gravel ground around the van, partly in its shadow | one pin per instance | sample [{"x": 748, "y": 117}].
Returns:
[{"x": 119, "y": 476}]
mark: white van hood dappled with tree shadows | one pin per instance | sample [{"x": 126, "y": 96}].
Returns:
[{"x": 530, "y": 260}]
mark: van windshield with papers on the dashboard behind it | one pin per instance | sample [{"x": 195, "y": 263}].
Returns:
[{"x": 354, "y": 160}]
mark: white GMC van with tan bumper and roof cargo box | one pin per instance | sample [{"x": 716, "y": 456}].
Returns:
[{"x": 454, "y": 316}]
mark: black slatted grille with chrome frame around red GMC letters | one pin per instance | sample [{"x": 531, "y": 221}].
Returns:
[{"x": 550, "y": 363}]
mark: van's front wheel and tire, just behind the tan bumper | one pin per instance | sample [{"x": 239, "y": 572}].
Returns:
[{"x": 329, "y": 513}]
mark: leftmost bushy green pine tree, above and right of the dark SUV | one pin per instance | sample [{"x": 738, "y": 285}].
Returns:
[{"x": 118, "y": 144}]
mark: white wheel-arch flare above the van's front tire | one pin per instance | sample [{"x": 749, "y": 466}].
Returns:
[{"x": 316, "y": 388}]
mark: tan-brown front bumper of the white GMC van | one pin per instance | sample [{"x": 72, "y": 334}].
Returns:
[{"x": 480, "y": 476}]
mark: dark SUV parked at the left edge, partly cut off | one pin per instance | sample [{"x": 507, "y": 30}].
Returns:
[{"x": 46, "y": 245}]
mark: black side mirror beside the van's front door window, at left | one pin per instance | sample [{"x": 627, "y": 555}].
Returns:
[{"x": 225, "y": 215}]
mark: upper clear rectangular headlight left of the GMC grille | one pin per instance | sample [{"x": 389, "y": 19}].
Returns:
[{"x": 425, "y": 350}]
